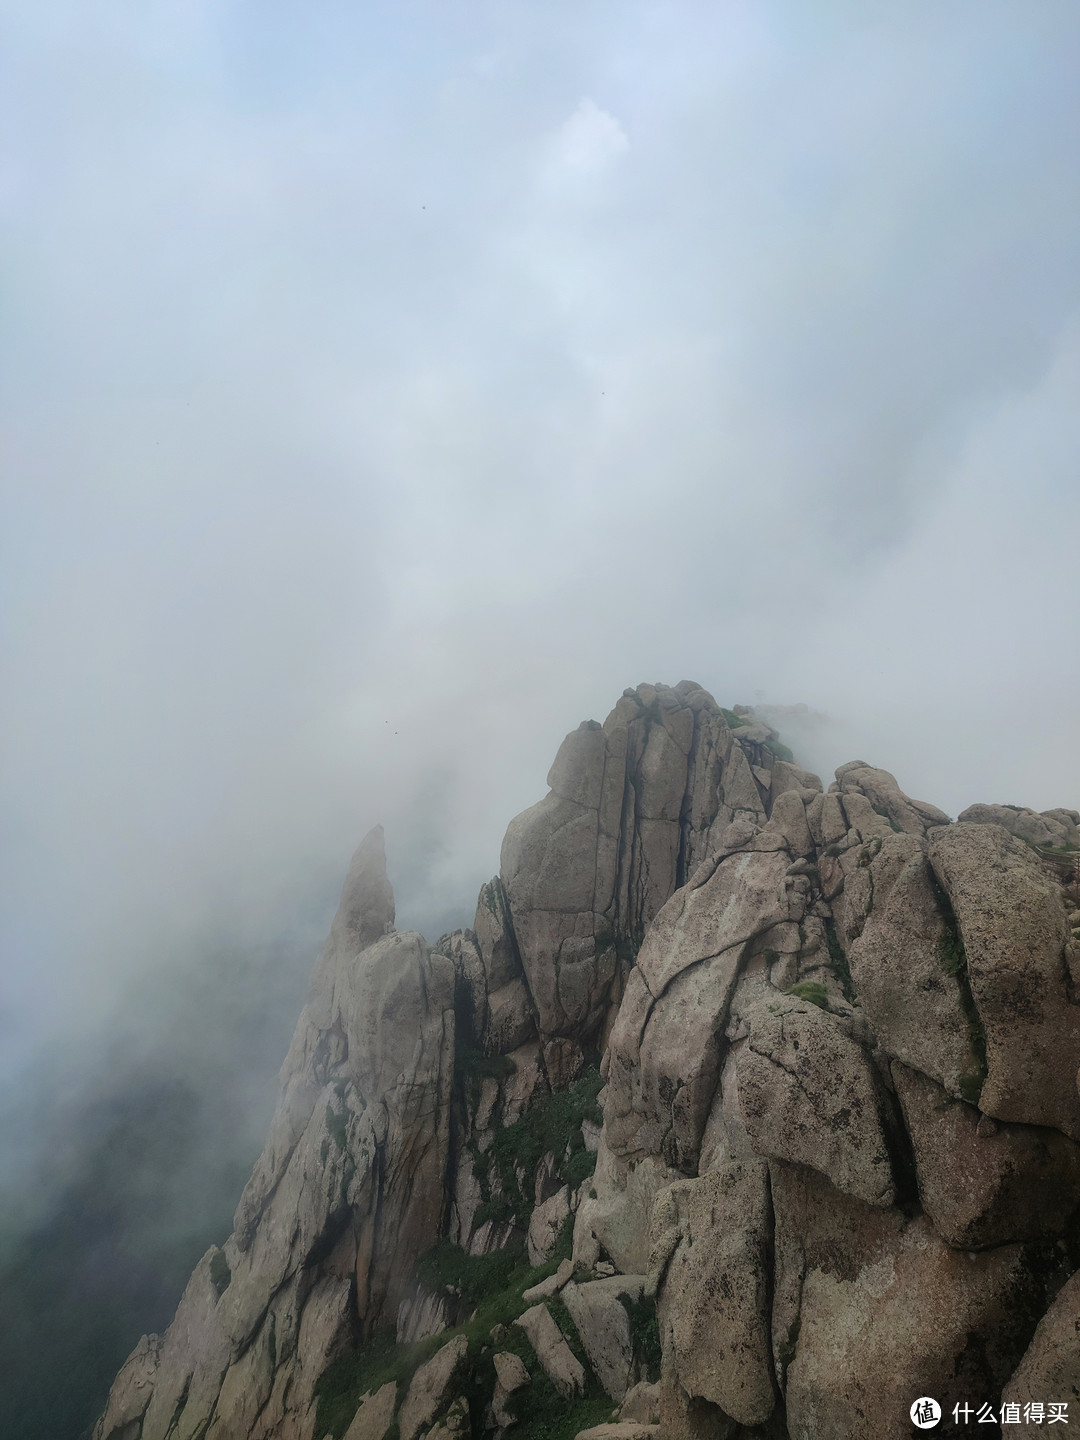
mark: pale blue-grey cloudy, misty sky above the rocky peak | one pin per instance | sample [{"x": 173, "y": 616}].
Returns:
[{"x": 388, "y": 385}]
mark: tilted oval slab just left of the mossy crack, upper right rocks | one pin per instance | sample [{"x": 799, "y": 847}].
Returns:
[{"x": 901, "y": 970}]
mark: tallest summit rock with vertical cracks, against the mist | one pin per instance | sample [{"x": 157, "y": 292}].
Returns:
[{"x": 636, "y": 806}]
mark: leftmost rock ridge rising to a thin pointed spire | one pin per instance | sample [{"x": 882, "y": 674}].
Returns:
[{"x": 352, "y": 1177}]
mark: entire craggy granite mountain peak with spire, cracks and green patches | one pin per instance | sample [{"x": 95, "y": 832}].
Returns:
[{"x": 836, "y": 1039}]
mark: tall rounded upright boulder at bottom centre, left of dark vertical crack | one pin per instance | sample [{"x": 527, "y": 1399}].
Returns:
[{"x": 714, "y": 1304}]
